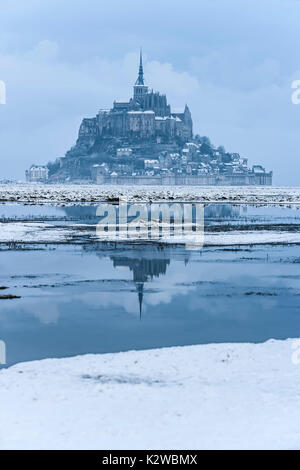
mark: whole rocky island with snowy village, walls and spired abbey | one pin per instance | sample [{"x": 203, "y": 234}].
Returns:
[{"x": 145, "y": 141}]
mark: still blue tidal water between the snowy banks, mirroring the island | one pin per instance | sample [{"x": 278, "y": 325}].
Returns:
[{"x": 110, "y": 297}]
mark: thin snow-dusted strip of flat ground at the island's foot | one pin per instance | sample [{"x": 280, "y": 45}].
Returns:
[{"x": 67, "y": 194}]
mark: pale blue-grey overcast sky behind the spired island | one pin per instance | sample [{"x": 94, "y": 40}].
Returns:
[{"x": 232, "y": 61}]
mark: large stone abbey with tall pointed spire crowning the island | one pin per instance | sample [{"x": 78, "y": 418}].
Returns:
[{"x": 147, "y": 115}]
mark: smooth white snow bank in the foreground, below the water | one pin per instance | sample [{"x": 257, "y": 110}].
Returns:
[{"x": 210, "y": 396}]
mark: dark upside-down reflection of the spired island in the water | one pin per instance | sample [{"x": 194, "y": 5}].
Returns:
[{"x": 148, "y": 261}]
